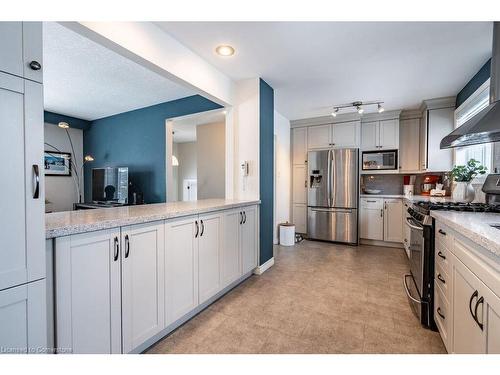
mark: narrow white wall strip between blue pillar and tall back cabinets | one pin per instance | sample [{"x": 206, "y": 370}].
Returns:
[{"x": 282, "y": 178}]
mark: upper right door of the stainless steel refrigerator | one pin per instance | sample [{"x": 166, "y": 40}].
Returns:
[{"x": 344, "y": 178}]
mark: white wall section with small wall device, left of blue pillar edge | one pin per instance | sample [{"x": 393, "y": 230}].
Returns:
[{"x": 246, "y": 136}]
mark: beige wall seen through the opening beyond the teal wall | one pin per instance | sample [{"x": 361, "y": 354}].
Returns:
[{"x": 211, "y": 165}]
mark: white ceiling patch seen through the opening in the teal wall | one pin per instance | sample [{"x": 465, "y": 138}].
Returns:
[{"x": 185, "y": 127}]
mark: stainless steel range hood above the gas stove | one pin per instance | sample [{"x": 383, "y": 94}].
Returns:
[{"x": 485, "y": 126}]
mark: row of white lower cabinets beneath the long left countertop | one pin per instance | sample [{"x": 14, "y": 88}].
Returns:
[{"x": 116, "y": 289}]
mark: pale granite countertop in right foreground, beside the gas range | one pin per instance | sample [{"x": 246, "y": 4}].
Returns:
[{"x": 474, "y": 225}]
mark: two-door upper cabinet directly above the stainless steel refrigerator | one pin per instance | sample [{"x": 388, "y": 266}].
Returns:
[{"x": 341, "y": 134}]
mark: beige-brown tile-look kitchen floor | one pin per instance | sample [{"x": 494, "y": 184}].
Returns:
[{"x": 317, "y": 298}]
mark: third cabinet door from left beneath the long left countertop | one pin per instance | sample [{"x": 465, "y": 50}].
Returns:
[{"x": 181, "y": 267}]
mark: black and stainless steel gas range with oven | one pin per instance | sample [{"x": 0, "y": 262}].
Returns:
[{"x": 419, "y": 283}]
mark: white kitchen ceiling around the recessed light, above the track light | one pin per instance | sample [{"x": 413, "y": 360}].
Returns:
[{"x": 313, "y": 66}]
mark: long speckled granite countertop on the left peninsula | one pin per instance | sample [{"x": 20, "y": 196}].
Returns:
[{"x": 65, "y": 223}]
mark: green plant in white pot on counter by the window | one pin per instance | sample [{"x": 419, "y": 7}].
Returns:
[{"x": 463, "y": 191}]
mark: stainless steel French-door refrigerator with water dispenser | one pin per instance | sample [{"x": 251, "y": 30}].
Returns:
[{"x": 332, "y": 213}]
